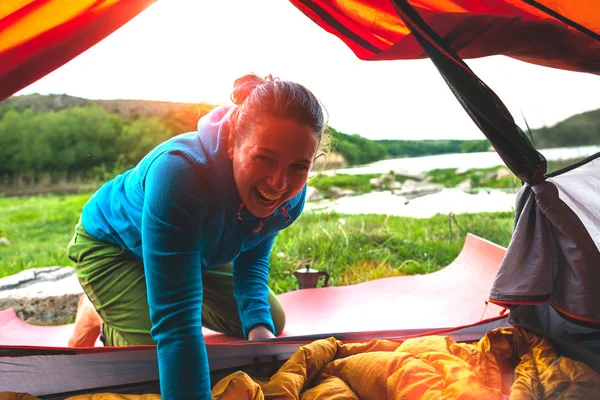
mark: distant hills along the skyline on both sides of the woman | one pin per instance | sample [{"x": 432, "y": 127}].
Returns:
[{"x": 578, "y": 130}]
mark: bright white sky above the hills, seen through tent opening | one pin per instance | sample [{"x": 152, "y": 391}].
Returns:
[{"x": 192, "y": 51}]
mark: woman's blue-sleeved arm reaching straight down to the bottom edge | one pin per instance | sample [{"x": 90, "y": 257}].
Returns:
[{"x": 171, "y": 226}]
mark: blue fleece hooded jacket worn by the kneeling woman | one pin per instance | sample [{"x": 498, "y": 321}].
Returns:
[{"x": 179, "y": 212}]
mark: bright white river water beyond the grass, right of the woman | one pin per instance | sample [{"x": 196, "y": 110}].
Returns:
[{"x": 444, "y": 202}]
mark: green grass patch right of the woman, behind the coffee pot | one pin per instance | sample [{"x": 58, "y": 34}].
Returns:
[{"x": 357, "y": 248}]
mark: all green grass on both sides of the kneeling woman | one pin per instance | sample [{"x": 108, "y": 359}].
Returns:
[{"x": 352, "y": 248}]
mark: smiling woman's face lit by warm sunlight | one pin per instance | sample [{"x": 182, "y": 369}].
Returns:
[{"x": 271, "y": 164}]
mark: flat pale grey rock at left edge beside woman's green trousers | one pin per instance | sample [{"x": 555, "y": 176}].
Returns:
[{"x": 44, "y": 296}]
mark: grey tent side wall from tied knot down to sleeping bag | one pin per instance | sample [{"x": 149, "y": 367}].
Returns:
[{"x": 550, "y": 276}]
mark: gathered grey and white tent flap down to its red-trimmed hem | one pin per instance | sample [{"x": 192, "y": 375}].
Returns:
[{"x": 554, "y": 254}]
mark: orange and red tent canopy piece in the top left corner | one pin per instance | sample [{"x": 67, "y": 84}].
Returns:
[{"x": 38, "y": 36}]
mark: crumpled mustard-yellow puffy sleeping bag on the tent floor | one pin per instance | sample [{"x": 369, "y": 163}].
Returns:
[{"x": 506, "y": 361}]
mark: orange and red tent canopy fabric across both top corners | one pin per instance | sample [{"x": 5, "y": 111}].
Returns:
[{"x": 38, "y": 36}]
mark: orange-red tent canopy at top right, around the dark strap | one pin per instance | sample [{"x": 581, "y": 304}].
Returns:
[{"x": 473, "y": 28}]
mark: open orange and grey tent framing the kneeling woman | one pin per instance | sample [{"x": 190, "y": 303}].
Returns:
[{"x": 549, "y": 277}]
